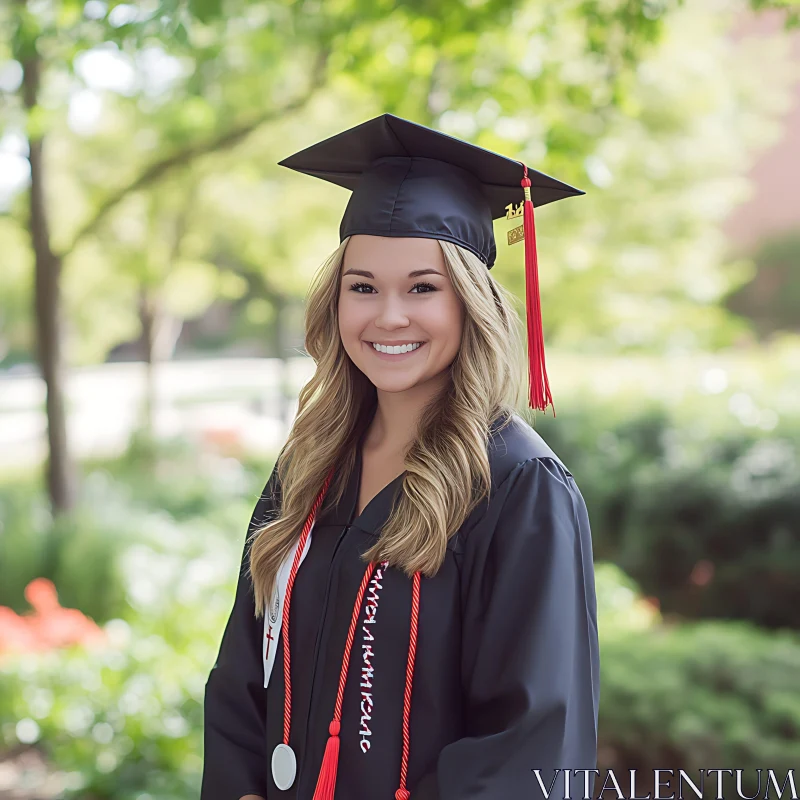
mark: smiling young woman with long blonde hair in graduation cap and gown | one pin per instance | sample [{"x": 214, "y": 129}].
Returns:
[{"x": 415, "y": 615}]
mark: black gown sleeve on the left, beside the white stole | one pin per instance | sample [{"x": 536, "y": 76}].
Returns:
[{"x": 234, "y": 724}]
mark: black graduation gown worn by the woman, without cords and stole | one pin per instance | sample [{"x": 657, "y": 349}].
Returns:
[{"x": 506, "y": 679}]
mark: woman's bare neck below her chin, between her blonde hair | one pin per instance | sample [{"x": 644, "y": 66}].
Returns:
[{"x": 394, "y": 426}]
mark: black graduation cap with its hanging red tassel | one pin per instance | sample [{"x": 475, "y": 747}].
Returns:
[{"x": 412, "y": 181}]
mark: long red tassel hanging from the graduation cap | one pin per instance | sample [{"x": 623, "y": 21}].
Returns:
[{"x": 540, "y": 395}]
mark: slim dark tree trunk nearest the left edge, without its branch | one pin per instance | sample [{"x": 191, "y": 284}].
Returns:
[{"x": 49, "y": 323}]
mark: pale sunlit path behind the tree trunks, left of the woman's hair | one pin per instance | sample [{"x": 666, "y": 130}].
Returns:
[{"x": 236, "y": 397}]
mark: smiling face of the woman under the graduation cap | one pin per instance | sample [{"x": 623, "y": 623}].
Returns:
[{"x": 396, "y": 291}]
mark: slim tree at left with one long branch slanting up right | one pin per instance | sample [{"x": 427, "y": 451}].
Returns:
[{"x": 59, "y": 31}]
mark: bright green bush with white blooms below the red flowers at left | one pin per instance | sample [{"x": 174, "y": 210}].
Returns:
[{"x": 113, "y": 724}]
